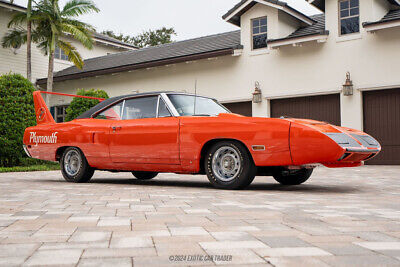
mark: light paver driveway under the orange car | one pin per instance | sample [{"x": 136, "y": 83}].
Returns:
[{"x": 339, "y": 217}]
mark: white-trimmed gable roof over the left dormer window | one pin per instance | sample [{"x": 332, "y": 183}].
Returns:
[{"x": 234, "y": 14}]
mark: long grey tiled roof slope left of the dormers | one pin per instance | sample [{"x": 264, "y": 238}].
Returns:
[{"x": 173, "y": 51}]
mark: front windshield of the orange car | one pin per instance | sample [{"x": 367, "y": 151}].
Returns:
[{"x": 185, "y": 105}]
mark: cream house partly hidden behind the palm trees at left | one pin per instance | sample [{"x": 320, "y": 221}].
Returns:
[{"x": 14, "y": 60}]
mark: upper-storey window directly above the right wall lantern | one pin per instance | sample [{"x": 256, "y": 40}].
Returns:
[{"x": 349, "y": 16}]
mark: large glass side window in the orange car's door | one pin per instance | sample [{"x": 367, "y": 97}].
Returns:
[{"x": 140, "y": 108}]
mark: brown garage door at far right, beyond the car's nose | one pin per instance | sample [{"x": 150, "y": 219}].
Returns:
[{"x": 382, "y": 120}]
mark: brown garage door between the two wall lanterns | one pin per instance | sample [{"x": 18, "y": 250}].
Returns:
[{"x": 322, "y": 108}]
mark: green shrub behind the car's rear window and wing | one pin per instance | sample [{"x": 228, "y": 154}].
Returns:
[{"x": 80, "y": 105}]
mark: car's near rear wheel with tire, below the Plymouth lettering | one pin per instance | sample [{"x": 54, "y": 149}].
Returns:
[{"x": 74, "y": 166}]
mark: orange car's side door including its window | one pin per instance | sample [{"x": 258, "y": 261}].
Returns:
[{"x": 146, "y": 133}]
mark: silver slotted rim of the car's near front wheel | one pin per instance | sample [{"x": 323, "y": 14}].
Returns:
[{"x": 226, "y": 163}]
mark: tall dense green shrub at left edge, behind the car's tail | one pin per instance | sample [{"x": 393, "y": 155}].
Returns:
[{"x": 16, "y": 113}]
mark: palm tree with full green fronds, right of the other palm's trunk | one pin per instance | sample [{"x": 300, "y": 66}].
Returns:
[{"x": 51, "y": 24}]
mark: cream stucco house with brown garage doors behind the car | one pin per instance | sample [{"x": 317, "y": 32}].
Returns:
[{"x": 300, "y": 63}]
